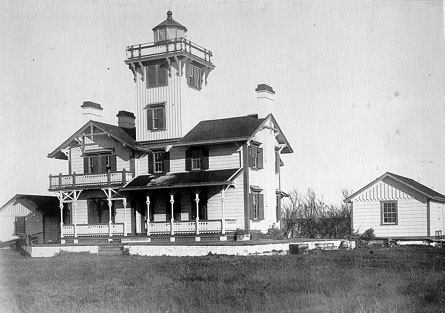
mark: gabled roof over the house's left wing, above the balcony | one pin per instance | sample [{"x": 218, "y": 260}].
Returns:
[{"x": 116, "y": 132}]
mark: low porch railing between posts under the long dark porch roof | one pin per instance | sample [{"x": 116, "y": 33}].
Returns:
[{"x": 189, "y": 227}]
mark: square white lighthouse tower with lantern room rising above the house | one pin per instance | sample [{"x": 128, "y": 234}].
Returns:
[{"x": 169, "y": 74}]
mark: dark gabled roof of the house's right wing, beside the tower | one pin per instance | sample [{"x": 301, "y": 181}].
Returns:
[{"x": 233, "y": 129}]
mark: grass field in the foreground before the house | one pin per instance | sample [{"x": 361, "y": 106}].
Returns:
[{"x": 405, "y": 279}]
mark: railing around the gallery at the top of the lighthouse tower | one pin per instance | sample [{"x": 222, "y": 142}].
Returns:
[{"x": 170, "y": 46}]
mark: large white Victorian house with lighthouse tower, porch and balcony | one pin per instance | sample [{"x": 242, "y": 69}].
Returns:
[{"x": 156, "y": 174}]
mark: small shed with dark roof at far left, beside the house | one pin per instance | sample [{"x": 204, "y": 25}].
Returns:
[{"x": 32, "y": 216}]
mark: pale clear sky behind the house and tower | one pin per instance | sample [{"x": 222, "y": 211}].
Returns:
[{"x": 360, "y": 85}]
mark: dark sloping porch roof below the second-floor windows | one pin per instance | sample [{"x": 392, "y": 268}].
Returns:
[{"x": 183, "y": 179}]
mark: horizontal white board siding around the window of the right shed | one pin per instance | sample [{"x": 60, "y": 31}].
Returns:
[{"x": 411, "y": 219}]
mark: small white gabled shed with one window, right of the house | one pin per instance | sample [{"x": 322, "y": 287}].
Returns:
[{"x": 398, "y": 207}]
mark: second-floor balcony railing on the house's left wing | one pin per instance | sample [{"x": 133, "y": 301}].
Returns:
[{"x": 74, "y": 180}]
